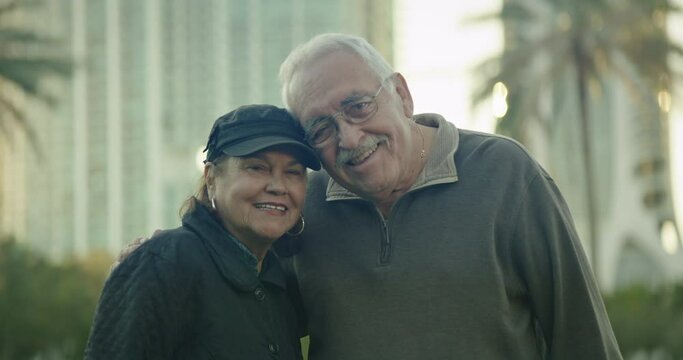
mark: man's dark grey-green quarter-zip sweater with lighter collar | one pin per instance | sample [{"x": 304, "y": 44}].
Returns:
[{"x": 479, "y": 260}]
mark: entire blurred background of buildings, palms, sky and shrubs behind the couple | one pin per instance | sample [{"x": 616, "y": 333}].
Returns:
[{"x": 105, "y": 106}]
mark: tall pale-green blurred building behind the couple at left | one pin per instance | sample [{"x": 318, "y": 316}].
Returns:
[{"x": 149, "y": 79}]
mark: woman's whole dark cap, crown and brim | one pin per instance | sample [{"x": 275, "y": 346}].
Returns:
[{"x": 252, "y": 128}]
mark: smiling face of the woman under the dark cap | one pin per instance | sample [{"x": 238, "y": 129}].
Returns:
[{"x": 259, "y": 197}]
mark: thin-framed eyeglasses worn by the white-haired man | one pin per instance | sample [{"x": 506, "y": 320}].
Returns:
[{"x": 356, "y": 110}]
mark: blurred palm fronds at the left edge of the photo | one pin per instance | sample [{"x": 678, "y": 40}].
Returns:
[{"x": 26, "y": 58}]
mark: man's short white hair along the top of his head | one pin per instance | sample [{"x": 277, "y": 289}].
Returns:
[{"x": 320, "y": 46}]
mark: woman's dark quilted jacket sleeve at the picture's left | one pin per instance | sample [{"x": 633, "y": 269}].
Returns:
[{"x": 140, "y": 312}]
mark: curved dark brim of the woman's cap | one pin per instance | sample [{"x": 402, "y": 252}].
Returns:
[{"x": 303, "y": 153}]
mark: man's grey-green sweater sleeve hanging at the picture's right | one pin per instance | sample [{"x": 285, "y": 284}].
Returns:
[{"x": 560, "y": 285}]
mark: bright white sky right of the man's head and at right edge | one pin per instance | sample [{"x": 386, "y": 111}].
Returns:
[{"x": 436, "y": 51}]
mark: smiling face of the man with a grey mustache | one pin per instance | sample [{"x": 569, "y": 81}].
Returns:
[{"x": 369, "y": 158}]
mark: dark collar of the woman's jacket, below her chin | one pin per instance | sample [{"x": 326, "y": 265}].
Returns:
[{"x": 228, "y": 256}]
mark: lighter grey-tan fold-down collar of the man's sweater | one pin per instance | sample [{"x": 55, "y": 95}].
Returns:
[{"x": 439, "y": 169}]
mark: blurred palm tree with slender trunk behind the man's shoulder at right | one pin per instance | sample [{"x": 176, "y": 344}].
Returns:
[{"x": 591, "y": 40}]
